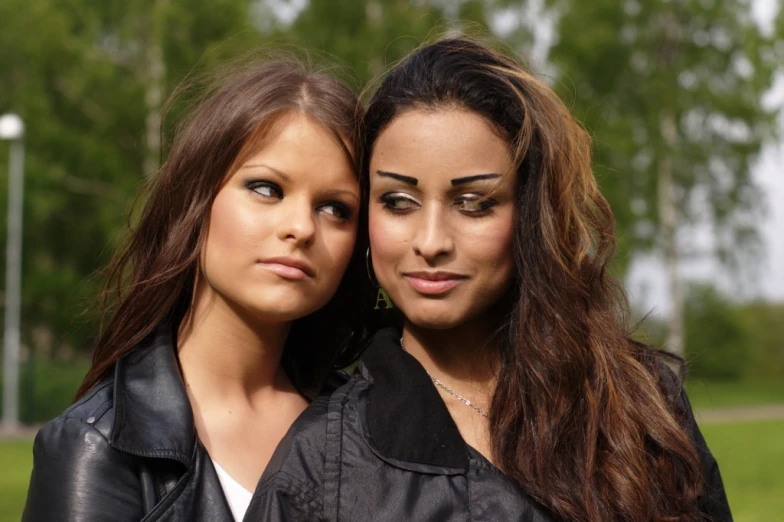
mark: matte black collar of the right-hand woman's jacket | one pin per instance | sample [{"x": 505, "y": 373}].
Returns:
[{"x": 407, "y": 419}]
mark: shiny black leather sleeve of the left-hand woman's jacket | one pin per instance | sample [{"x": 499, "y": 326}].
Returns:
[{"x": 77, "y": 476}]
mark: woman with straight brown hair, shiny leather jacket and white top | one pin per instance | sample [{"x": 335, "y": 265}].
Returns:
[{"x": 224, "y": 308}]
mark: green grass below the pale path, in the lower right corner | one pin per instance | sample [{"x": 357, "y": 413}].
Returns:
[{"x": 750, "y": 457}]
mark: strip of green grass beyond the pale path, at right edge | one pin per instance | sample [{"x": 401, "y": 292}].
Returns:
[{"x": 718, "y": 394}]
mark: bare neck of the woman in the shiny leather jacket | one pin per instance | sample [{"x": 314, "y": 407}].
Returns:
[{"x": 227, "y": 356}]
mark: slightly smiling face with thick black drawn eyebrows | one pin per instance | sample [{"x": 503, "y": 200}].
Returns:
[{"x": 441, "y": 217}]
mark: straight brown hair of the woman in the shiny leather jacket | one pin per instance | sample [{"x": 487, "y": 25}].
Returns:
[{"x": 150, "y": 280}]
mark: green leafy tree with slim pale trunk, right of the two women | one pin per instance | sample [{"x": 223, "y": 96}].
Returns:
[{"x": 672, "y": 92}]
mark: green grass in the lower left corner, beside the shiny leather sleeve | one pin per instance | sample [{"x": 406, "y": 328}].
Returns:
[{"x": 17, "y": 459}]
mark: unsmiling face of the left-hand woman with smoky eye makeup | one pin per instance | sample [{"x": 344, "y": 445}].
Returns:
[{"x": 283, "y": 226}]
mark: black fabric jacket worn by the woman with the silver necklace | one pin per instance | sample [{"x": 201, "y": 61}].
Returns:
[{"x": 384, "y": 447}]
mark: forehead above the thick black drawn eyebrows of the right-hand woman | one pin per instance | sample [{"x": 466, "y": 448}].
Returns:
[{"x": 453, "y": 142}]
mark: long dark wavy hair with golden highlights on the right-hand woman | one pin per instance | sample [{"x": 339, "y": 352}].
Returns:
[{"x": 583, "y": 419}]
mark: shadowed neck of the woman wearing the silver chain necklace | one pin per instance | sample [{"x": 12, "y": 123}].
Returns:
[{"x": 466, "y": 355}]
